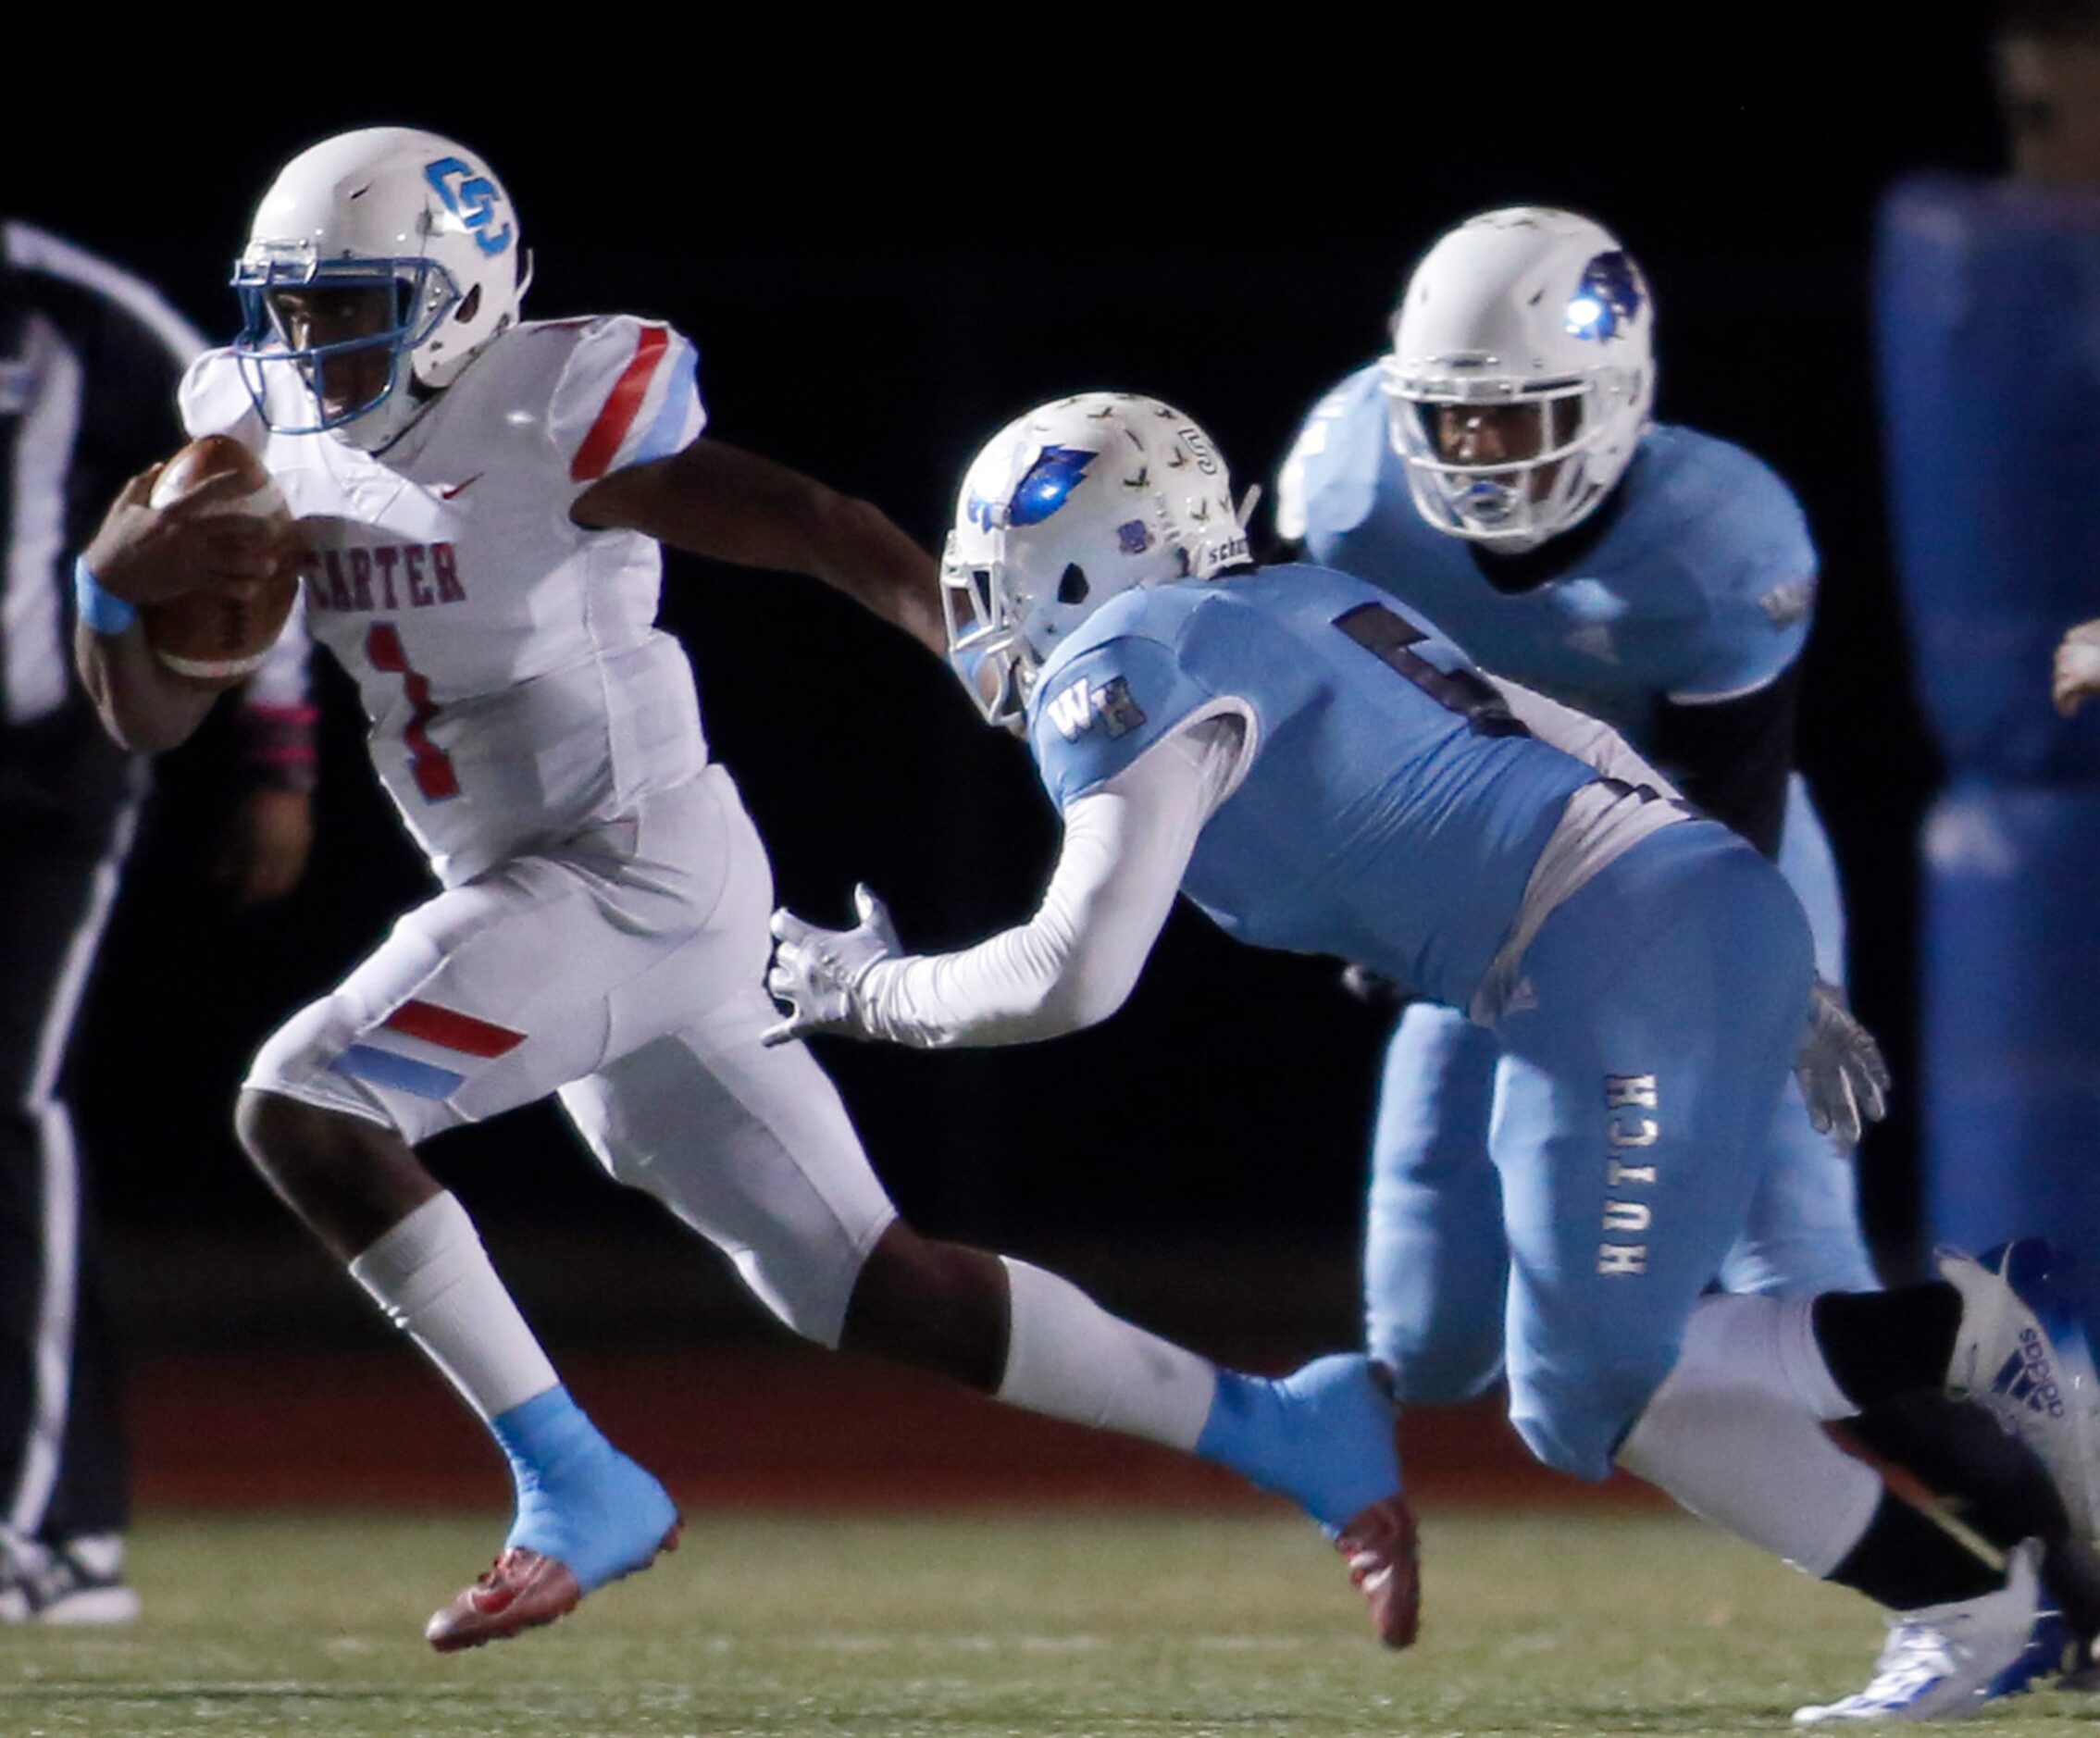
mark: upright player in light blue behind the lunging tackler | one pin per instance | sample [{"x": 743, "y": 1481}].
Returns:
[{"x": 1503, "y": 473}]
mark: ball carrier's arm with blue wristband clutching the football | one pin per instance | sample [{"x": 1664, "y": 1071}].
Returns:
[{"x": 146, "y": 555}]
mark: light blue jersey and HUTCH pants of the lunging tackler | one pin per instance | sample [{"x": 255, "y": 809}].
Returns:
[{"x": 1393, "y": 811}]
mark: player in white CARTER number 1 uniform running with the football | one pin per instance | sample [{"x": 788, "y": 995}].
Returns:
[{"x": 482, "y": 505}]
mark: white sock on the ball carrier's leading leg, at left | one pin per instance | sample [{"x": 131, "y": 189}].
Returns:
[{"x": 434, "y": 1279}]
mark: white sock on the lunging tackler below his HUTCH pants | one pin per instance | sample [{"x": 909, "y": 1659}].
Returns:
[{"x": 1734, "y": 1441}]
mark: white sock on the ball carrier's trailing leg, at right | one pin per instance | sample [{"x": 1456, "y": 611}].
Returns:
[{"x": 1072, "y": 1359}]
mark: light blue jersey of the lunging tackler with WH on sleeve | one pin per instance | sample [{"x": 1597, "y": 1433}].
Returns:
[{"x": 1393, "y": 809}]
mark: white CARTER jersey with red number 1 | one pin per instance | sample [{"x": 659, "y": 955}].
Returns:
[{"x": 507, "y": 658}]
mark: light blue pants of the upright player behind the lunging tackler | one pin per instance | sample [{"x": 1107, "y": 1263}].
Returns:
[{"x": 1435, "y": 1260}]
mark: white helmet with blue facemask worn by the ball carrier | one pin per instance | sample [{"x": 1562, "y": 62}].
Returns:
[{"x": 408, "y": 217}]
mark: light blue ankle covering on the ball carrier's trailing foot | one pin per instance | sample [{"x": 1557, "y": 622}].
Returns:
[{"x": 1320, "y": 1437}]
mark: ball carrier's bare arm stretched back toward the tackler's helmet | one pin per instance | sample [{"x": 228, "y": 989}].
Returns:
[{"x": 728, "y": 505}]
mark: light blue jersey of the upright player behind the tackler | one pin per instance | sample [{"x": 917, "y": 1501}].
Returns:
[{"x": 1696, "y": 580}]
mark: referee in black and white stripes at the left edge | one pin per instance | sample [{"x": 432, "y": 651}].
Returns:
[{"x": 89, "y": 360}]
